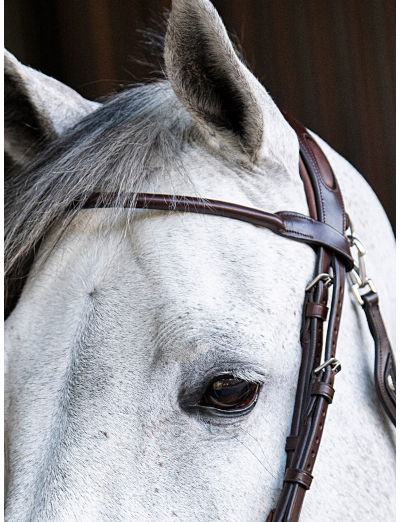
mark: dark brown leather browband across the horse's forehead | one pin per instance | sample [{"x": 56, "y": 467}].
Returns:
[{"x": 287, "y": 224}]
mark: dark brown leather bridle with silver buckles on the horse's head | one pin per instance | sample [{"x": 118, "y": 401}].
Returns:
[{"x": 325, "y": 231}]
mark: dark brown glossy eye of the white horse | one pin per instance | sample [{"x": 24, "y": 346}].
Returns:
[{"x": 229, "y": 394}]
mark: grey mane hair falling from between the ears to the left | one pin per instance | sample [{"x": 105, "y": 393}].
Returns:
[{"x": 113, "y": 149}]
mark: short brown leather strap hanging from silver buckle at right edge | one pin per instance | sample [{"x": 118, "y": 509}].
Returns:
[{"x": 385, "y": 366}]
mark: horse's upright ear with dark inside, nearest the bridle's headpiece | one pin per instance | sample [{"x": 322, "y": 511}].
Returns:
[{"x": 221, "y": 94}]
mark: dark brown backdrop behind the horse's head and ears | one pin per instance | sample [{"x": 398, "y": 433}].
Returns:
[{"x": 330, "y": 63}]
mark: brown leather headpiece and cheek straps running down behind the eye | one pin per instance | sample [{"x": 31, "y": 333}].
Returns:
[{"x": 314, "y": 392}]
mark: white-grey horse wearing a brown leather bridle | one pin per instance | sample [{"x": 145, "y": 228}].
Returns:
[{"x": 127, "y": 316}]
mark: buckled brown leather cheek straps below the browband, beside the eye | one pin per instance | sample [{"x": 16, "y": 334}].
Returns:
[{"x": 314, "y": 394}]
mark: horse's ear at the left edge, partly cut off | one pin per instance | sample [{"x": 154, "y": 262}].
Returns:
[{"x": 37, "y": 109}]
